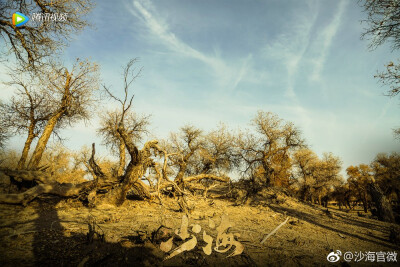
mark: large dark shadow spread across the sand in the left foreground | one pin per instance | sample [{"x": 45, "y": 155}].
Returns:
[{"x": 55, "y": 245}]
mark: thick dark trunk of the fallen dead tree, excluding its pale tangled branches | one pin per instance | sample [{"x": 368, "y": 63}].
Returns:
[{"x": 115, "y": 188}]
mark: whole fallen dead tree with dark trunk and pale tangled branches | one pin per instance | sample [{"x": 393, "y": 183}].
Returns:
[{"x": 113, "y": 189}]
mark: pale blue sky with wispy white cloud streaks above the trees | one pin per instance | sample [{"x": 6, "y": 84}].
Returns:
[{"x": 206, "y": 62}]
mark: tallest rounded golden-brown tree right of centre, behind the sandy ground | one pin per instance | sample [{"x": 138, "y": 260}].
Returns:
[{"x": 267, "y": 152}]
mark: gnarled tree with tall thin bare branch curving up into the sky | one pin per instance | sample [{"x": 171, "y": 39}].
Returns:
[{"x": 120, "y": 130}]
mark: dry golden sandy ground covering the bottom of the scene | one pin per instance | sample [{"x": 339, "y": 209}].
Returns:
[{"x": 54, "y": 233}]
